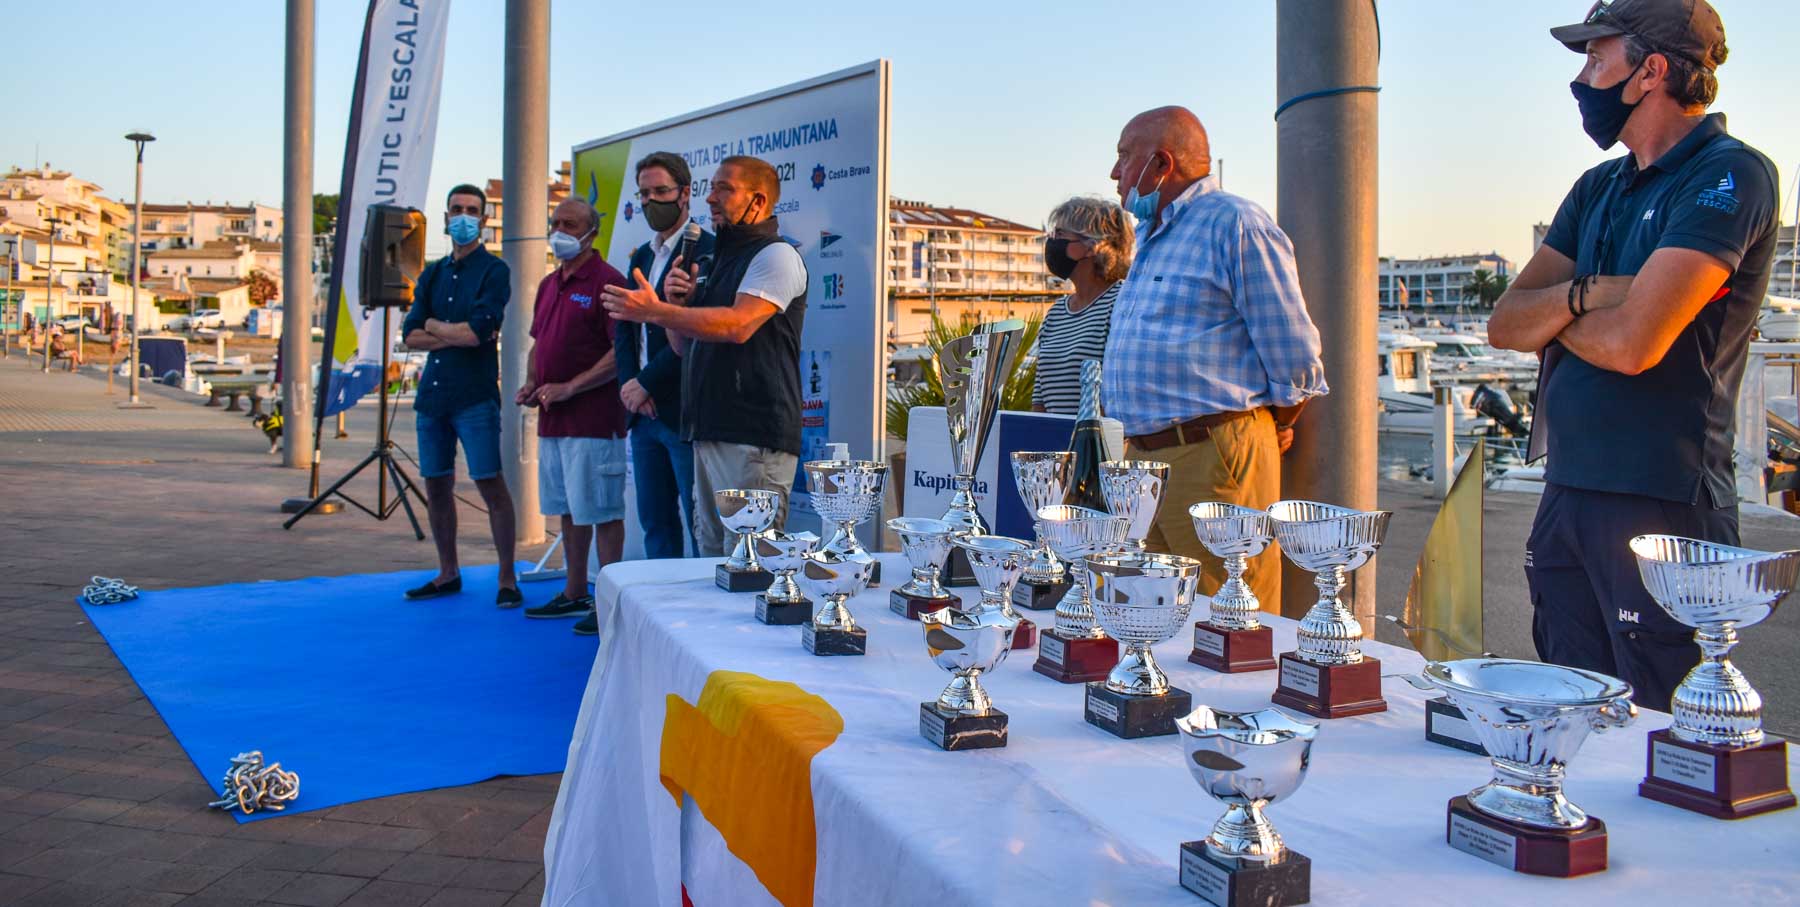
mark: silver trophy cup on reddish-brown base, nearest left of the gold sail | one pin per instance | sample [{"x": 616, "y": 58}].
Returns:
[{"x": 1329, "y": 678}]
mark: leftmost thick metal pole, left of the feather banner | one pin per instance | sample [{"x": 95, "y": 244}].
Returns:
[{"x": 298, "y": 244}]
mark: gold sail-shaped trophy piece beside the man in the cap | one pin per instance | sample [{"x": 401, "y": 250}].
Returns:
[{"x": 1444, "y": 602}]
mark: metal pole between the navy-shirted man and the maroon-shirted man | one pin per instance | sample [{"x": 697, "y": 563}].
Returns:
[{"x": 525, "y": 168}]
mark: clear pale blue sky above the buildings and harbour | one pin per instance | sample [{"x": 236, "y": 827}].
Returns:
[{"x": 1003, "y": 107}]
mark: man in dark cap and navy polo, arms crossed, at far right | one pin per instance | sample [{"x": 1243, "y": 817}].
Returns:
[{"x": 1641, "y": 303}]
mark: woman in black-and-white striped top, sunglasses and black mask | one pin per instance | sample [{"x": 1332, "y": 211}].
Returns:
[{"x": 1090, "y": 244}]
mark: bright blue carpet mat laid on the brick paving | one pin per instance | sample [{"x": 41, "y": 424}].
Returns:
[{"x": 352, "y": 687}]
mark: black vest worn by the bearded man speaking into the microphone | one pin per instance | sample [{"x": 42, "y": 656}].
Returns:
[{"x": 744, "y": 393}]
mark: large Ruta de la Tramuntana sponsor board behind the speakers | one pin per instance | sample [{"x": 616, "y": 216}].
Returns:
[{"x": 829, "y": 141}]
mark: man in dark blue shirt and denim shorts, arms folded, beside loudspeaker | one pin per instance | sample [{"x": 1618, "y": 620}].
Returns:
[{"x": 456, "y": 316}]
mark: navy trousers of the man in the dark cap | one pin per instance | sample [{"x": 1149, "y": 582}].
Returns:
[{"x": 1588, "y": 602}]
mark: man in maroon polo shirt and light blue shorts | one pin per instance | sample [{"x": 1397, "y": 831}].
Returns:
[{"x": 573, "y": 379}]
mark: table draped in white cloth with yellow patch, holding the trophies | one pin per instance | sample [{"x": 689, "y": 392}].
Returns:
[{"x": 1063, "y": 816}]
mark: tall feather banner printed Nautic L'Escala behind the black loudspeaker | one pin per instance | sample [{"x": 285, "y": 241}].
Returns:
[{"x": 388, "y": 161}]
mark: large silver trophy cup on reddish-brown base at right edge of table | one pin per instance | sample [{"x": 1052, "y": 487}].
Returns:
[{"x": 1716, "y": 760}]
